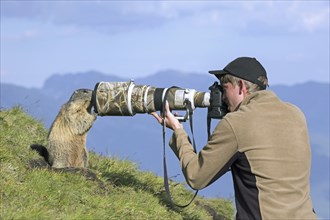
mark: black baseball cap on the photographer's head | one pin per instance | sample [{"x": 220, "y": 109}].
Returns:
[{"x": 246, "y": 68}]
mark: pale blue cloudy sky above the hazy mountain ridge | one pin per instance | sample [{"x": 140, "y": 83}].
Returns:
[{"x": 135, "y": 39}]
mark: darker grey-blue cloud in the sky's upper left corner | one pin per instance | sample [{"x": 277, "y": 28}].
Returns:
[{"x": 105, "y": 16}]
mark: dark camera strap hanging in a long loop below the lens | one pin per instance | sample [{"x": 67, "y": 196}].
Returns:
[{"x": 166, "y": 180}]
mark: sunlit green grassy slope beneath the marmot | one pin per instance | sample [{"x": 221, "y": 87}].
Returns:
[{"x": 121, "y": 190}]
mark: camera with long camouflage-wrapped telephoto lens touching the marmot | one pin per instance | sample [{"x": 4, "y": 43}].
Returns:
[{"x": 128, "y": 99}]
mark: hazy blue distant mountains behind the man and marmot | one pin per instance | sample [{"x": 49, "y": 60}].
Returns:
[{"x": 139, "y": 138}]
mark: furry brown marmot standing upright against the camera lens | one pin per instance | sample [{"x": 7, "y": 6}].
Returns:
[{"x": 66, "y": 145}]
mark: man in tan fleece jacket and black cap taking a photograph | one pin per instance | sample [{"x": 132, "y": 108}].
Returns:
[{"x": 262, "y": 140}]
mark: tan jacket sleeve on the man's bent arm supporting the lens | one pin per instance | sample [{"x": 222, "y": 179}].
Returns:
[{"x": 212, "y": 161}]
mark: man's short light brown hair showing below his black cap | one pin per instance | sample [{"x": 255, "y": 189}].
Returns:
[{"x": 251, "y": 87}]
